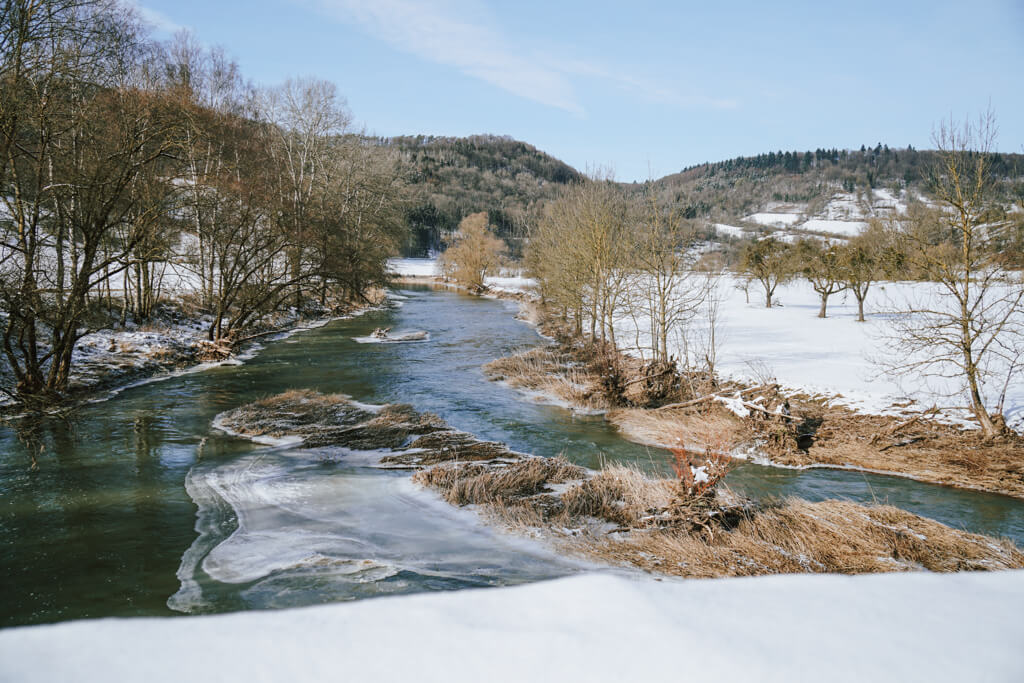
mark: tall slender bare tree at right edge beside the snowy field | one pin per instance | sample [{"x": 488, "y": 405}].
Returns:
[{"x": 971, "y": 328}]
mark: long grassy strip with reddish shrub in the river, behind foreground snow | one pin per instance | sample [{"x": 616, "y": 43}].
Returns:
[{"x": 621, "y": 516}]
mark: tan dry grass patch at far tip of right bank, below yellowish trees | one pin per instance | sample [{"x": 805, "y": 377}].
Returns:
[{"x": 549, "y": 372}]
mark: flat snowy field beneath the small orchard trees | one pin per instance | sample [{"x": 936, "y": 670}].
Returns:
[{"x": 834, "y": 357}]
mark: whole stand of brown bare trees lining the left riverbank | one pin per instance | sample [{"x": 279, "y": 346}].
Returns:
[{"x": 124, "y": 161}]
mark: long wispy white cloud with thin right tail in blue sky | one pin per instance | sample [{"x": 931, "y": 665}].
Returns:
[{"x": 438, "y": 31}]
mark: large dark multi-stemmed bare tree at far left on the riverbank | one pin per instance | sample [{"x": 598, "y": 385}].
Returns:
[{"x": 86, "y": 149}]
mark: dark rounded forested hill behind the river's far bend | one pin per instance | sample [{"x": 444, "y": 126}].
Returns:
[{"x": 456, "y": 177}]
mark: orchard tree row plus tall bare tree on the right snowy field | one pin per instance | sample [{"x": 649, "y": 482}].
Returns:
[{"x": 967, "y": 324}]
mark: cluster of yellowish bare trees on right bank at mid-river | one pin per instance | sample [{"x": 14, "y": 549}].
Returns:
[{"x": 601, "y": 253}]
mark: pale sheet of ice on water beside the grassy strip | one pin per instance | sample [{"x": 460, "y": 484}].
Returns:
[{"x": 312, "y": 527}]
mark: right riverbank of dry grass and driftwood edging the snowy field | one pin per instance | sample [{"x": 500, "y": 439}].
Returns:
[{"x": 664, "y": 408}]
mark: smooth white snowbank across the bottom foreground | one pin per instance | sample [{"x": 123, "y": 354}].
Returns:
[{"x": 596, "y": 628}]
